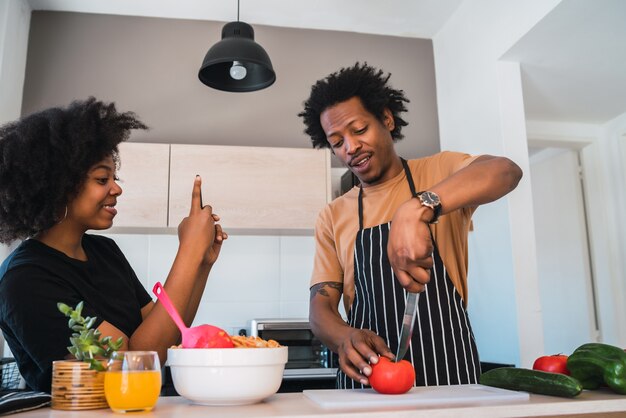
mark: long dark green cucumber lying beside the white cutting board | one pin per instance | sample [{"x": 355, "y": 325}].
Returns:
[{"x": 535, "y": 381}]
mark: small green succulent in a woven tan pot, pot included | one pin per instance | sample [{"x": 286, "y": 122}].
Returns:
[{"x": 79, "y": 384}]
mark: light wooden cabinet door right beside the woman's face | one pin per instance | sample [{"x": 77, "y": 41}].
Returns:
[{"x": 144, "y": 178}]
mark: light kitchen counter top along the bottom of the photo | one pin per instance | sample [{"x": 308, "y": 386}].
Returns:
[{"x": 296, "y": 405}]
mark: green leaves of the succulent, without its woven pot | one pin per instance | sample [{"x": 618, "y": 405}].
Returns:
[{"x": 86, "y": 342}]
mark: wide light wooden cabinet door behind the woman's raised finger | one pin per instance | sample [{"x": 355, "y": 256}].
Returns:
[{"x": 252, "y": 187}]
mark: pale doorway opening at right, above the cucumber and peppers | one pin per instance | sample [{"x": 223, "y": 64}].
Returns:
[{"x": 564, "y": 262}]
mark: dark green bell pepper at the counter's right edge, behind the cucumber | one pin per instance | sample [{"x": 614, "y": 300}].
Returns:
[{"x": 595, "y": 364}]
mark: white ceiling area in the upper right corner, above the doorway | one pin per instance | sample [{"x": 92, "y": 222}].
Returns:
[{"x": 574, "y": 63}]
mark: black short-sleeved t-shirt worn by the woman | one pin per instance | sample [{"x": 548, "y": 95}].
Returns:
[{"x": 35, "y": 277}]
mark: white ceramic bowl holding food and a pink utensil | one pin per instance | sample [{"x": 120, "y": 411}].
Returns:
[{"x": 226, "y": 376}]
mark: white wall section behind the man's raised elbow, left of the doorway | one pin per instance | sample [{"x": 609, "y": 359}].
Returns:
[{"x": 481, "y": 111}]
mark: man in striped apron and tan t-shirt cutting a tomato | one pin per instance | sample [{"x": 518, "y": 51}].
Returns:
[{"x": 404, "y": 229}]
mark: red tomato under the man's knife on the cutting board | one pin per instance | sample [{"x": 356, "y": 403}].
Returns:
[{"x": 392, "y": 378}]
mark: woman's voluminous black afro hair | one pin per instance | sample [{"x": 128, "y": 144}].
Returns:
[{"x": 45, "y": 157}]
